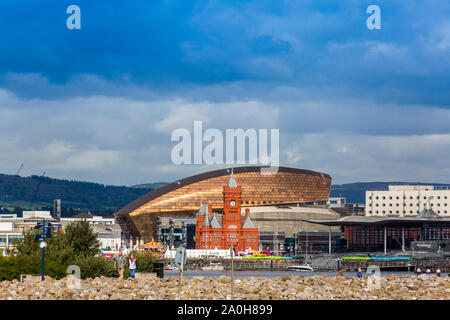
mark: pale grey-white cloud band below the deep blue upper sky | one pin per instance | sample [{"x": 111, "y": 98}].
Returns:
[{"x": 119, "y": 140}]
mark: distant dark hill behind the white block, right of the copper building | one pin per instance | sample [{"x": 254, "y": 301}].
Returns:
[{"x": 356, "y": 192}]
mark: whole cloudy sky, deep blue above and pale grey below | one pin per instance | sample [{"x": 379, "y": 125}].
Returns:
[{"x": 99, "y": 103}]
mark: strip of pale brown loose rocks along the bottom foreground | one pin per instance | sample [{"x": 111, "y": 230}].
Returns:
[{"x": 281, "y": 288}]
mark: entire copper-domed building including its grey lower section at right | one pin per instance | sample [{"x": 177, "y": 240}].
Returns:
[{"x": 277, "y": 202}]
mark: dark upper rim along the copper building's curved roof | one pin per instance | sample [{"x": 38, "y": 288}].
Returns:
[{"x": 204, "y": 176}]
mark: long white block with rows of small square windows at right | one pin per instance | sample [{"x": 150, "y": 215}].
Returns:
[{"x": 407, "y": 201}]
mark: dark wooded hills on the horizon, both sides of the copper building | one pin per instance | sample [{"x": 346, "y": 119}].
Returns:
[{"x": 37, "y": 192}]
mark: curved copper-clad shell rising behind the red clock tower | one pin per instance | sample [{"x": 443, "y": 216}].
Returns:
[{"x": 182, "y": 198}]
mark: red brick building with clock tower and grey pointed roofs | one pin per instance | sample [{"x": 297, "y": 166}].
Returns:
[{"x": 214, "y": 231}]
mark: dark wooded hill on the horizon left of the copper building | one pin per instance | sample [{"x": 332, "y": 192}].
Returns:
[{"x": 38, "y": 191}]
